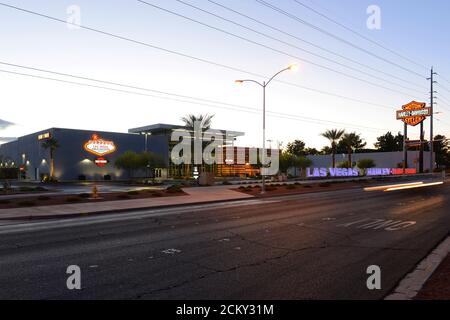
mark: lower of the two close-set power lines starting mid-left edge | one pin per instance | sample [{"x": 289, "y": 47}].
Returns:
[{"x": 240, "y": 109}]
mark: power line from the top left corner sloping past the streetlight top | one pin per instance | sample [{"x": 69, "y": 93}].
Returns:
[{"x": 199, "y": 59}]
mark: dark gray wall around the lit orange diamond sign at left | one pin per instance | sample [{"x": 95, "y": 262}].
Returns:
[{"x": 71, "y": 160}]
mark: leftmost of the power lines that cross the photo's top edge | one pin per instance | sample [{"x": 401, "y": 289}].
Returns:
[{"x": 280, "y": 51}]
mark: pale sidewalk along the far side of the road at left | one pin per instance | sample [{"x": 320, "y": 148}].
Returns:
[{"x": 194, "y": 196}]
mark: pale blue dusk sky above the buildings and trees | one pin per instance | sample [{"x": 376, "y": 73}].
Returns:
[{"x": 418, "y": 30}]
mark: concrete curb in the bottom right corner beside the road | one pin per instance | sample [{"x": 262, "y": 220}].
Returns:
[{"x": 410, "y": 286}]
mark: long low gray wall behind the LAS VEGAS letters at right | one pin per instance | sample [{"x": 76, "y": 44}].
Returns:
[{"x": 381, "y": 159}]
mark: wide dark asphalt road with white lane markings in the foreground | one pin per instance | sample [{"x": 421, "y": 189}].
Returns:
[{"x": 315, "y": 246}]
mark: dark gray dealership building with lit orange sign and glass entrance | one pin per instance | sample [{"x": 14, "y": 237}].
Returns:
[{"x": 91, "y": 155}]
